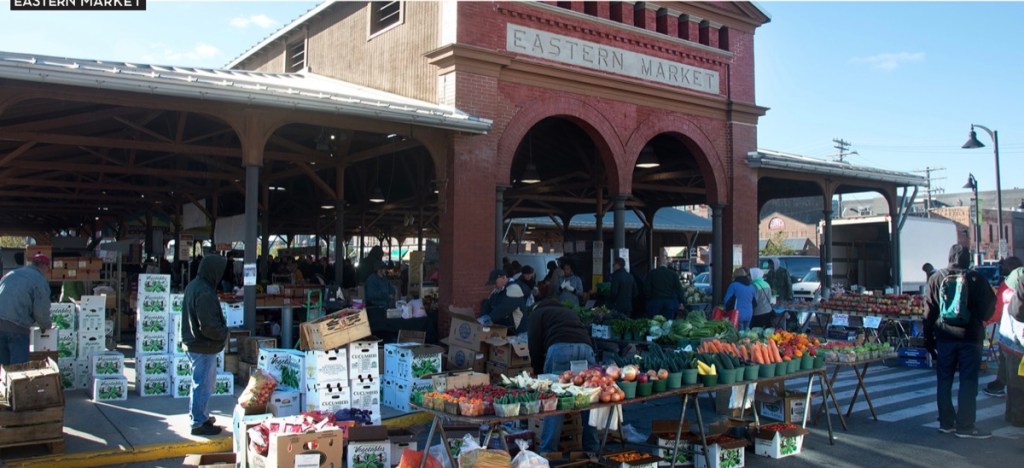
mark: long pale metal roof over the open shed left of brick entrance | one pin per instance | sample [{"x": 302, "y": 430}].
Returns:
[{"x": 304, "y": 92}]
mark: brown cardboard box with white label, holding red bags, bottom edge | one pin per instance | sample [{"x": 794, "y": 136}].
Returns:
[{"x": 290, "y": 451}]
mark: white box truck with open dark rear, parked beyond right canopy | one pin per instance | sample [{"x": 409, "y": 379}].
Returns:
[{"x": 863, "y": 251}]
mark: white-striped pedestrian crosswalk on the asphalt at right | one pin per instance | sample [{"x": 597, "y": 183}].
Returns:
[{"x": 908, "y": 397}]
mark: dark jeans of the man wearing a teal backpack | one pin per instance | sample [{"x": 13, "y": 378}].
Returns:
[{"x": 964, "y": 358}]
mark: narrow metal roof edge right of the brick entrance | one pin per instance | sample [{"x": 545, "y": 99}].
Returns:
[{"x": 769, "y": 159}]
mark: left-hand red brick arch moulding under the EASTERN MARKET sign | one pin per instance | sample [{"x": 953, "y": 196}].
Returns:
[{"x": 588, "y": 118}]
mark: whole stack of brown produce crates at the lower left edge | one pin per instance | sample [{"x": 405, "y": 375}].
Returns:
[{"x": 32, "y": 405}]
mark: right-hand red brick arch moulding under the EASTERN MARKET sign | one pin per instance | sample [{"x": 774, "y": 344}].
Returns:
[{"x": 697, "y": 141}]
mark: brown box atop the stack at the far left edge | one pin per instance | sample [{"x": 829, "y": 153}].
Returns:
[{"x": 32, "y": 386}]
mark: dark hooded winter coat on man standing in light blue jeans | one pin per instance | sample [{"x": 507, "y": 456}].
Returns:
[{"x": 203, "y": 327}]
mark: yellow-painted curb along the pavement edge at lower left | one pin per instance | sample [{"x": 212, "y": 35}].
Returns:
[{"x": 170, "y": 451}]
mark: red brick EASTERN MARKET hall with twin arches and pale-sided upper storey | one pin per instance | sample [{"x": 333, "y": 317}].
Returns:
[{"x": 582, "y": 92}]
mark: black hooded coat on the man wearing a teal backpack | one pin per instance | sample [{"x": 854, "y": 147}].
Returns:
[{"x": 982, "y": 303}]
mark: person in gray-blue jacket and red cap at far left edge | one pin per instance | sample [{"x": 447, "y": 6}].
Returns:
[{"x": 25, "y": 301}]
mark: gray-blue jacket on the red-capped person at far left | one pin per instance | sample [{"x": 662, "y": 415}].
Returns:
[{"x": 25, "y": 300}]
